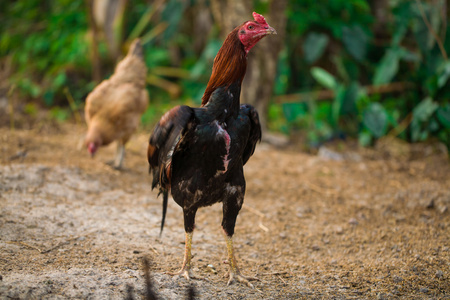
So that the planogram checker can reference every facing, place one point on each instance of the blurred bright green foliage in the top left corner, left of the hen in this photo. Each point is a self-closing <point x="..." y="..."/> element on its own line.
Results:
<point x="46" y="41"/>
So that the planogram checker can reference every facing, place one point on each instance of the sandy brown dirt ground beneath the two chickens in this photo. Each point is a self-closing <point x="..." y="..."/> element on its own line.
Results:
<point x="357" y="224"/>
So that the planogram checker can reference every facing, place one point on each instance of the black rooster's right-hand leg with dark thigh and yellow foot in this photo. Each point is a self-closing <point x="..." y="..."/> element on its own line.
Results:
<point x="230" y="212"/>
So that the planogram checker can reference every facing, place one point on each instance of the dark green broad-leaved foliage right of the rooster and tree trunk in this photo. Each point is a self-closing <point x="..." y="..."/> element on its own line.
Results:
<point x="408" y="55"/>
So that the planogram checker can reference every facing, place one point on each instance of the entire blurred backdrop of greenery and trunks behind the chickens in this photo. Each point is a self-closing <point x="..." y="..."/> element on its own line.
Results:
<point x="344" y="69"/>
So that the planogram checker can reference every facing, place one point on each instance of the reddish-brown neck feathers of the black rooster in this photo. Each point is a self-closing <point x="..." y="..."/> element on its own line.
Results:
<point x="229" y="65"/>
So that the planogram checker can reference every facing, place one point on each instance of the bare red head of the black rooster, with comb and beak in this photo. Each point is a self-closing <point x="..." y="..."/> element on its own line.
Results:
<point x="252" y="32"/>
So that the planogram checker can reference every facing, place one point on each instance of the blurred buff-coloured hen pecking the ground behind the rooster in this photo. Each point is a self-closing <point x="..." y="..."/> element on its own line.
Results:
<point x="114" y="108"/>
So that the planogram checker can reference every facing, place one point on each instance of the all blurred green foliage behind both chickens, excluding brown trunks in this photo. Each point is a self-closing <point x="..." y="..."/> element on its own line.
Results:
<point x="329" y="45"/>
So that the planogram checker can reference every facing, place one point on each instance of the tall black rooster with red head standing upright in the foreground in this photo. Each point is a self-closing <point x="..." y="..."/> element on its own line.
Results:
<point x="198" y="153"/>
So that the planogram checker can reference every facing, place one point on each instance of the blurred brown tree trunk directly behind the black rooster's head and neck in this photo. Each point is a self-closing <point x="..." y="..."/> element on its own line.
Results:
<point x="257" y="87"/>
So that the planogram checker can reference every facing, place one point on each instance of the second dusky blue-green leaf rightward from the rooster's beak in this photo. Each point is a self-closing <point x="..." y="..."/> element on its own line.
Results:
<point x="355" y="41"/>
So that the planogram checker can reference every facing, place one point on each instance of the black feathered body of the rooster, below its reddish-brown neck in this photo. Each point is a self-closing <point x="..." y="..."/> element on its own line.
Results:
<point x="199" y="153"/>
